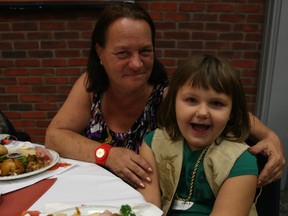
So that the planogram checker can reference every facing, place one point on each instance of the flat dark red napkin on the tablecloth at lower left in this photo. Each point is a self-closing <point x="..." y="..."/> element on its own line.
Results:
<point x="10" y="205"/>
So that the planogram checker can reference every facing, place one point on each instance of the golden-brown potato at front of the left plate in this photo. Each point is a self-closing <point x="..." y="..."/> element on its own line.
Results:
<point x="12" y="166"/>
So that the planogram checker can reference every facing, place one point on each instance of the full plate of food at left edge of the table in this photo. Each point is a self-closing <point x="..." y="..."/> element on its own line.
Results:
<point x="21" y="162"/>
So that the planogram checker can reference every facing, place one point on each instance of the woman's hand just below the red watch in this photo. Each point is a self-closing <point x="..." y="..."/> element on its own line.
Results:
<point x="129" y="166"/>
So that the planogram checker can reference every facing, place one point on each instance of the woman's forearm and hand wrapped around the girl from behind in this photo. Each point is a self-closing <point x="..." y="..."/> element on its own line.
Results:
<point x="270" y="146"/>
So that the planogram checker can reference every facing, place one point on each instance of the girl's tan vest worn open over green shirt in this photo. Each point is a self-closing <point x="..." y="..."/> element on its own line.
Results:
<point x="169" y="157"/>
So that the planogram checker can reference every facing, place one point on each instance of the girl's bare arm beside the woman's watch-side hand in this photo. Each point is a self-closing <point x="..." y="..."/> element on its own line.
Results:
<point x="152" y="191"/>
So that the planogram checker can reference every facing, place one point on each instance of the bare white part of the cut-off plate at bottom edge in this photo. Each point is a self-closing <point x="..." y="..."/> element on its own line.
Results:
<point x="88" y="210"/>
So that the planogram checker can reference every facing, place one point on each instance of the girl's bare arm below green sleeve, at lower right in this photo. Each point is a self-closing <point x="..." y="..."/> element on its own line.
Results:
<point x="235" y="196"/>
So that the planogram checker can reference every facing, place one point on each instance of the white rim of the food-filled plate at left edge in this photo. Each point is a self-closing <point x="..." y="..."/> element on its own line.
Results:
<point x="55" y="157"/>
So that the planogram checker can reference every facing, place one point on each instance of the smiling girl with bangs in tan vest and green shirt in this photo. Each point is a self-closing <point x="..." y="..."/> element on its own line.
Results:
<point x="204" y="167"/>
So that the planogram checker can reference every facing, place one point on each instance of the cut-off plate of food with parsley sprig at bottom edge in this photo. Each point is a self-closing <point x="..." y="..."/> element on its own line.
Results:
<point x="96" y="210"/>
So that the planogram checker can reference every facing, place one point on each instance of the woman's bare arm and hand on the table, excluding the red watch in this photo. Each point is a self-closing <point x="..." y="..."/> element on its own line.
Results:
<point x="64" y="136"/>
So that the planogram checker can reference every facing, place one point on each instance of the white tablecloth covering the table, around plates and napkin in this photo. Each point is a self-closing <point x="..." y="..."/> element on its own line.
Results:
<point x="81" y="184"/>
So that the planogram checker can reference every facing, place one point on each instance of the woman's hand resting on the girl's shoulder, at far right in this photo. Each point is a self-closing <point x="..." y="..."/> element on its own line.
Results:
<point x="270" y="147"/>
